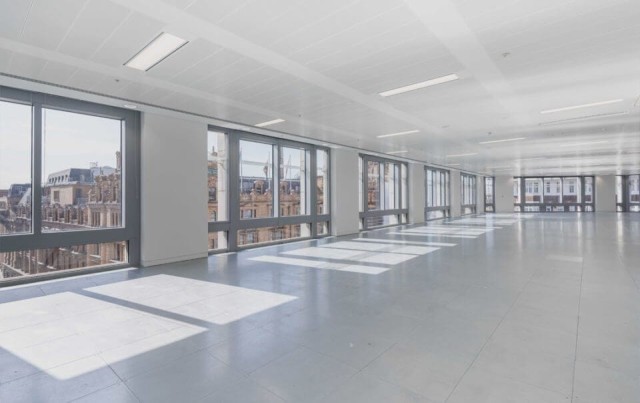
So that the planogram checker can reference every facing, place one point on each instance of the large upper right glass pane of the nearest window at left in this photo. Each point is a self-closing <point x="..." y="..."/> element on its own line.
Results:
<point x="81" y="171"/>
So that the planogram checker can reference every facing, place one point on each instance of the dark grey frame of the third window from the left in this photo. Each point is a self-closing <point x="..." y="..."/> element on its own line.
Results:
<point x="401" y="213"/>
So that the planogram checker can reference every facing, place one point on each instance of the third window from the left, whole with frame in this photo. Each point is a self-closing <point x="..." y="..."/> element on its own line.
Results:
<point x="384" y="184"/>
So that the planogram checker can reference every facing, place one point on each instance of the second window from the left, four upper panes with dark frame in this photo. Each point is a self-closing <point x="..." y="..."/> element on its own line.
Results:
<point x="271" y="198"/>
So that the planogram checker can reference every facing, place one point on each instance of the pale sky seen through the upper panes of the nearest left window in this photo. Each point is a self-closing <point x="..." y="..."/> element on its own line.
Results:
<point x="70" y="140"/>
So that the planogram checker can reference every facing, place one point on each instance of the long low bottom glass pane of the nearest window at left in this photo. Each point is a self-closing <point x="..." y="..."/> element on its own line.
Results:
<point x="41" y="261"/>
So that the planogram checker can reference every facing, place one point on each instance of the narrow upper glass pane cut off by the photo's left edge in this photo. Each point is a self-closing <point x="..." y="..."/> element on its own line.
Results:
<point x="15" y="168"/>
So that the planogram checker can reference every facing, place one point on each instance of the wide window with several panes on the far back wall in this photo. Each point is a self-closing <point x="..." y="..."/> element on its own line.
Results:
<point x="554" y="194"/>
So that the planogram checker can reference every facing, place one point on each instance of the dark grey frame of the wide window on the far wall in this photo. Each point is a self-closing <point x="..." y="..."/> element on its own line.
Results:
<point x="543" y="206"/>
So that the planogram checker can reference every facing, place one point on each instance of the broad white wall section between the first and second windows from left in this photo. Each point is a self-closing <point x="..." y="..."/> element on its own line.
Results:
<point x="174" y="186"/>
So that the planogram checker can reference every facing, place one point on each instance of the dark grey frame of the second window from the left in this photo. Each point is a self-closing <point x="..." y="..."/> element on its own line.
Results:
<point x="235" y="223"/>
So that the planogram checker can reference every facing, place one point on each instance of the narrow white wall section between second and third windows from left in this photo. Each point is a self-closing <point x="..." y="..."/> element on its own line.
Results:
<point x="345" y="216"/>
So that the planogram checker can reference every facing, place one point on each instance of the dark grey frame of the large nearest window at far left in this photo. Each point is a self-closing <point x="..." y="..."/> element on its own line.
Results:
<point x="130" y="231"/>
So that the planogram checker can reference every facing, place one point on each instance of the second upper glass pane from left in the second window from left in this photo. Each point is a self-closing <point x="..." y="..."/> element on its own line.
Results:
<point x="256" y="180"/>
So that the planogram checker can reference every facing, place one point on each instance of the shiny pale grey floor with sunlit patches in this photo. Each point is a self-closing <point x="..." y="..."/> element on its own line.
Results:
<point x="532" y="308"/>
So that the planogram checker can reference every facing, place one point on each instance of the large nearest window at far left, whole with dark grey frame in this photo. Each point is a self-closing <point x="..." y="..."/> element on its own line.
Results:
<point x="79" y="163"/>
